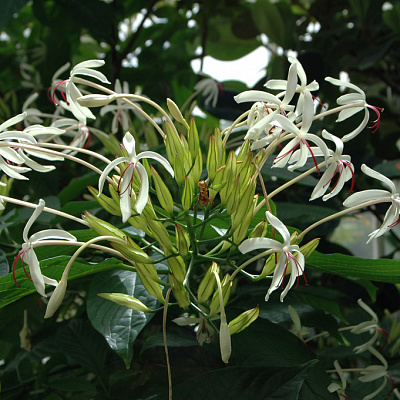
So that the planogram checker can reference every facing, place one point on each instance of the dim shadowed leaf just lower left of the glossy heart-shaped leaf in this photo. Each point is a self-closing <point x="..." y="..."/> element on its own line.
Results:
<point x="81" y="343"/>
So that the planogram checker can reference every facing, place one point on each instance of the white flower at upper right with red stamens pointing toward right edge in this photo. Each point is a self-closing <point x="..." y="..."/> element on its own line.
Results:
<point x="359" y="101"/>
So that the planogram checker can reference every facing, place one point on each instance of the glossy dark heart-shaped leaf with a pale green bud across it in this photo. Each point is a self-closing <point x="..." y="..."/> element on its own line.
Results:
<point x="119" y="325"/>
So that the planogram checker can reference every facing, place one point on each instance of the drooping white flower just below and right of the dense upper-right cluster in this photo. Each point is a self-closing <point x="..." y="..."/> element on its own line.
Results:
<point x="337" y="164"/>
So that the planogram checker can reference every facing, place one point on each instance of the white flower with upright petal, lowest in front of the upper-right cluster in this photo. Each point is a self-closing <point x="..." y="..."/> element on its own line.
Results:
<point x="301" y="138"/>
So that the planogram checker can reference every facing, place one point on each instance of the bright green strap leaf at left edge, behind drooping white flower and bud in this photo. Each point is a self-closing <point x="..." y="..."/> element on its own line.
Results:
<point x="53" y="268"/>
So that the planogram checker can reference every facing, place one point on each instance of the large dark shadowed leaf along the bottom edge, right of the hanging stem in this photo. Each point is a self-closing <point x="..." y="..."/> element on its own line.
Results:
<point x="237" y="383"/>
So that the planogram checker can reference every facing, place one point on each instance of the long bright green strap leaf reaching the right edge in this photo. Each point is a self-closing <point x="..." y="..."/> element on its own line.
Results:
<point x="381" y="270"/>
